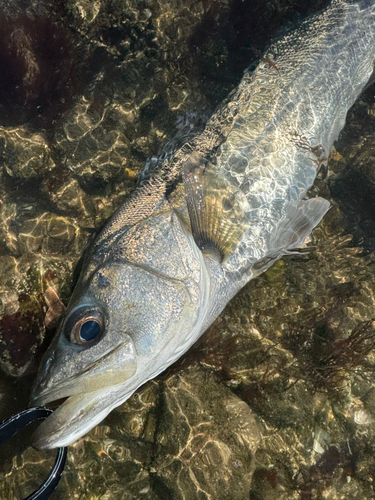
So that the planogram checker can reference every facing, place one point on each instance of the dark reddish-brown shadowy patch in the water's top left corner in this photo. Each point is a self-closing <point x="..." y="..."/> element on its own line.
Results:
<point x="43" y="67"/>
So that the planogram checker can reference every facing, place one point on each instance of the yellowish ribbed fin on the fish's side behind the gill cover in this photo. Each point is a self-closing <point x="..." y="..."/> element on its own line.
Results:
<point x="216" y="209"/>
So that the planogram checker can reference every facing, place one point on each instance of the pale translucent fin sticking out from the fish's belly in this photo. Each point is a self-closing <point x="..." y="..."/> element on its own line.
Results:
<point x="301" y="218"/>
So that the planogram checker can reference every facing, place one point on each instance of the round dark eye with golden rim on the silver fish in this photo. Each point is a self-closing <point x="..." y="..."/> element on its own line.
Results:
<point x="85" y="325"/>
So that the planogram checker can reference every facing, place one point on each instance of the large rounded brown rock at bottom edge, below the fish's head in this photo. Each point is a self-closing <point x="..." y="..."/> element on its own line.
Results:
<point x="205" y="449"/>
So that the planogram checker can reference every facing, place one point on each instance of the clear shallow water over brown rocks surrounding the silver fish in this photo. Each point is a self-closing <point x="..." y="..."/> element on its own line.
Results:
<point x="277" y="400"/>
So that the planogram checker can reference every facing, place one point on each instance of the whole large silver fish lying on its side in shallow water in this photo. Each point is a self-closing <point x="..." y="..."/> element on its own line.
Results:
<point x="204" y="220"/>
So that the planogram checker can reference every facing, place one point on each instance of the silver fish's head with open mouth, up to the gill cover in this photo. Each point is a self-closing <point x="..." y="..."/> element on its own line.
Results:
<point x="137" y="307"/>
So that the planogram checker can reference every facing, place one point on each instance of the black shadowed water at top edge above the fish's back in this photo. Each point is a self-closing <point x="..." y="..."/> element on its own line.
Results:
<point x="243" y="31"/>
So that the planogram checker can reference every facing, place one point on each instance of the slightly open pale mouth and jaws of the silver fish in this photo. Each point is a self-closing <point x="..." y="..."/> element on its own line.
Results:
<point x="91" y="391"/>
